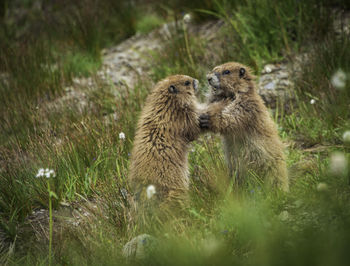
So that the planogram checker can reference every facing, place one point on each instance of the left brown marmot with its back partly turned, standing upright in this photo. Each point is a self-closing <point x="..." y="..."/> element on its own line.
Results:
<point x="169" y="122"/>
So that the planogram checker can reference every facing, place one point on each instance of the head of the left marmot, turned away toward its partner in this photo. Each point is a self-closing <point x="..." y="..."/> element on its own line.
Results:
<point x="178" y="89"/>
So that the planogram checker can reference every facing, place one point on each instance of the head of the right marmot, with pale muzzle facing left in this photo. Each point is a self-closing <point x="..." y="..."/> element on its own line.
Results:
<point x="230" y="79"/>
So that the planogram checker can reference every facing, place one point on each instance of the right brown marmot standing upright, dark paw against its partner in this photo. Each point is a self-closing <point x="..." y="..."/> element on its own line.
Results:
<point x="250" y="138"/>
